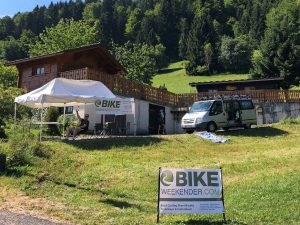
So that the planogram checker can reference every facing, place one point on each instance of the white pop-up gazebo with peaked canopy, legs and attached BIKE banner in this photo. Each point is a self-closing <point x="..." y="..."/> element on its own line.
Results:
<point x="61" y="92"/>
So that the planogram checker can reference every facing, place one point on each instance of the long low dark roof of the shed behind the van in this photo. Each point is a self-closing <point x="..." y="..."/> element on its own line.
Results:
<point x="274" y="79"/>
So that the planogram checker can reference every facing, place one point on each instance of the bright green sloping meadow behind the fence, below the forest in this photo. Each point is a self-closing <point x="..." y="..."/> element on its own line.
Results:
<point x="176" y="80"/>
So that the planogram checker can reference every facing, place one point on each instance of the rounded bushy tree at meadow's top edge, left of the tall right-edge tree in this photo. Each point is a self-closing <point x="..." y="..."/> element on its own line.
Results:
<point x="235" y="54"/>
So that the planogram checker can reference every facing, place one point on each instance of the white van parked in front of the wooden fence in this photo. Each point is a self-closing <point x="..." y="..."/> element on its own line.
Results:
<point x="221" y="112"/>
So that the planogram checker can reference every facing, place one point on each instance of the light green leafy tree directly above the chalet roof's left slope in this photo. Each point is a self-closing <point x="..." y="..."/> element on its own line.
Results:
<point x="66" y="34"/>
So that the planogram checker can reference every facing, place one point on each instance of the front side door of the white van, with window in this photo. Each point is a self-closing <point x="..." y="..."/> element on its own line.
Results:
<point x="217" y="114"/>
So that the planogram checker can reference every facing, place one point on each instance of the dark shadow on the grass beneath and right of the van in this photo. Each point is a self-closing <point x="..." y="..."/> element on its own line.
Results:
<point x="255" y="132"/>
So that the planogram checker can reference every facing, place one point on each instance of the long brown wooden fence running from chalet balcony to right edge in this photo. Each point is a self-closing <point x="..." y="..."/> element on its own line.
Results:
<point x="121" y="86"/>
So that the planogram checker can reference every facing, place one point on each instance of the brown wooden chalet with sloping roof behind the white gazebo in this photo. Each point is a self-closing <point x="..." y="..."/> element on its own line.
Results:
<point x="37" y="71"/>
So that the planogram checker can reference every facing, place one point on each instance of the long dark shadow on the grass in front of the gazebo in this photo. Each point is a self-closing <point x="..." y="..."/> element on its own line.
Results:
<point x="115" y="142"/>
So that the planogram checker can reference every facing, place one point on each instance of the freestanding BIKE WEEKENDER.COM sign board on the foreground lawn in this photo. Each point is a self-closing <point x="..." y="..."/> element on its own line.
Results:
<point x="190" y="191"/>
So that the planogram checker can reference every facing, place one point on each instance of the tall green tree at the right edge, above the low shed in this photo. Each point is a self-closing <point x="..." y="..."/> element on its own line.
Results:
<point x="279" y="54"/>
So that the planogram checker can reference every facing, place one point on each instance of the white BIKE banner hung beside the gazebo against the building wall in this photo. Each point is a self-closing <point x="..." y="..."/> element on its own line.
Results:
<point x="114" y="106"/>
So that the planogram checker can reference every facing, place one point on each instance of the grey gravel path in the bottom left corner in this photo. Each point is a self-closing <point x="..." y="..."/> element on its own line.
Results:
<point x="10" y="218"/>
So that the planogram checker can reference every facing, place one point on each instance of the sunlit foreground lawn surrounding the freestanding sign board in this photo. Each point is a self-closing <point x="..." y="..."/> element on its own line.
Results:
<point x="114" y="181"/>
